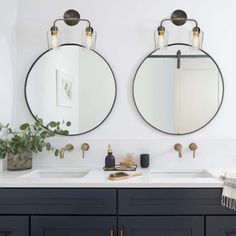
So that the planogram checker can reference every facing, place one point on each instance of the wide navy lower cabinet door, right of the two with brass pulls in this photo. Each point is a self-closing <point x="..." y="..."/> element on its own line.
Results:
<point x="161" y="225"/>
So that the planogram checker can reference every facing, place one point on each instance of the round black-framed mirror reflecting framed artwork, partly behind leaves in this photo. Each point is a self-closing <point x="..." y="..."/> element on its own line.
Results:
<point x="71" y="84"/>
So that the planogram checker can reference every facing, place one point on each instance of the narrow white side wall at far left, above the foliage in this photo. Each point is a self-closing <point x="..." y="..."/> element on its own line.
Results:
<point x="7" y="58"/>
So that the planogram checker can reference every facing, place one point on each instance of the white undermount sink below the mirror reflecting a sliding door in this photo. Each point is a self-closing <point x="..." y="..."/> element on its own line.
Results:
<point x="181" y="174"/>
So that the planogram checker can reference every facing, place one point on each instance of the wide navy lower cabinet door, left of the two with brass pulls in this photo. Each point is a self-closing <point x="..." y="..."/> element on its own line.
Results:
<point x="73" y="225"/>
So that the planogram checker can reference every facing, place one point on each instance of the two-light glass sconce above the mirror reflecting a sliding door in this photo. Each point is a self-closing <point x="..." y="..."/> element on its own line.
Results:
<point x="179" y="18"/>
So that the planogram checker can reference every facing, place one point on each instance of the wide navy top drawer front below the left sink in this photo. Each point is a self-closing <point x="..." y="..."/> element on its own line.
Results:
<point x="58" y="201"/>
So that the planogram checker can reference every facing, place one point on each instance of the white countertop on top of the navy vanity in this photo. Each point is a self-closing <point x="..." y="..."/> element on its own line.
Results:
<point x="97" y="178"/>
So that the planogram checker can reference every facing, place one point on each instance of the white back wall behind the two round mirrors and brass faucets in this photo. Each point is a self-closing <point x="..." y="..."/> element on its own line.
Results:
<point x="125" y="37"/>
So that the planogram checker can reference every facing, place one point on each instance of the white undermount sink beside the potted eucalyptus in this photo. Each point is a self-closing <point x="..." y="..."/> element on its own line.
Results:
<point x="56" y="173"/>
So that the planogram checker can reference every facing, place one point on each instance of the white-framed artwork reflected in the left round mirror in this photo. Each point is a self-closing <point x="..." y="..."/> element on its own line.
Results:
<point x="64" y="89"/>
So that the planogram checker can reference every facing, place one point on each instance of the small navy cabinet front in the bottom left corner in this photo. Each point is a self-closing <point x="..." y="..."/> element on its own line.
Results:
<point x="14" y="225"/>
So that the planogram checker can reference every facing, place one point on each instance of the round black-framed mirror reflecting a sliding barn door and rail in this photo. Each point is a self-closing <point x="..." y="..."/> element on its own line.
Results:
<point x="178" y="89"/>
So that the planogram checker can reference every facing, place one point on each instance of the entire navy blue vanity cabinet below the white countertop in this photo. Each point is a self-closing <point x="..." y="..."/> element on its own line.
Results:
<point x="114" y="212"/>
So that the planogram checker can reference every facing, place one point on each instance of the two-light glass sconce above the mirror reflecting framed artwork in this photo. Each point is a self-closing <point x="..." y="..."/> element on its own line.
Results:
<point x="72" y="17"/>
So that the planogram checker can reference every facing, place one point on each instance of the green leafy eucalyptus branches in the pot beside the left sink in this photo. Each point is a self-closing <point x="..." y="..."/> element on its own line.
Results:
<point x="31" y="137"/>
